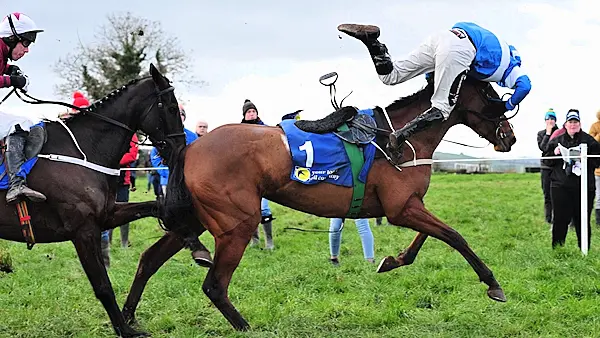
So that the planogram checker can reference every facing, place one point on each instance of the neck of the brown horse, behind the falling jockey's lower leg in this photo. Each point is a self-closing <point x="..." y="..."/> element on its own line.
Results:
<point x="424" y="142"/>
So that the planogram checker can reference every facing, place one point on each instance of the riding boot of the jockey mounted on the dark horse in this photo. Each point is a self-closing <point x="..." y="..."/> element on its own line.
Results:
<point x="15" y="157"/>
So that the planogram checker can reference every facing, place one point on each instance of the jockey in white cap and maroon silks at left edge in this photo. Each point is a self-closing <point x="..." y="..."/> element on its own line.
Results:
<point x="17" y="33"/>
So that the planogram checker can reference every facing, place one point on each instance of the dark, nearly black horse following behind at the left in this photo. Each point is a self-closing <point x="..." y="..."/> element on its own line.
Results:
<point x="81" y="201"/>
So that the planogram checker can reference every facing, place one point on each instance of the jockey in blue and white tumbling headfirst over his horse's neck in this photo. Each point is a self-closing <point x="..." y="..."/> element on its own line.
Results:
<point x="465" y="49"/>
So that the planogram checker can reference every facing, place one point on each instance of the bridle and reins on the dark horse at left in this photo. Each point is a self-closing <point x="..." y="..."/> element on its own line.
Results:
<point x="90" y="111"/>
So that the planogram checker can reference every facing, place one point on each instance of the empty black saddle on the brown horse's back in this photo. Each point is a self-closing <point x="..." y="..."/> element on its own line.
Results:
<point x="361" y="128"/>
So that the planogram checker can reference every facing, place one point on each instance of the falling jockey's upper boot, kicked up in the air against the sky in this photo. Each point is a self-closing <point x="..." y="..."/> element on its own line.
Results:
<point x="368" y="34"/>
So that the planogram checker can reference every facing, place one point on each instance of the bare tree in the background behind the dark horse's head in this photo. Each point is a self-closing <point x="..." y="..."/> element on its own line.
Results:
<point x="122" y="51"/>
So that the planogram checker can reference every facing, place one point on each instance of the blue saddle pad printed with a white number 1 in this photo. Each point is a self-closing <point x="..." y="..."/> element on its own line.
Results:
<point x="321" y="157"/>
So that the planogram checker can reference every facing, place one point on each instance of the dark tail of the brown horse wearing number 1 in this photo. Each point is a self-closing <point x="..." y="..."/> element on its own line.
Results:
<point x="178" y="201"/>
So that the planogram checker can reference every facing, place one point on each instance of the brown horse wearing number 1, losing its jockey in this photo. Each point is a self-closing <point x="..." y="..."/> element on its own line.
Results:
<point x="228" y="171"/>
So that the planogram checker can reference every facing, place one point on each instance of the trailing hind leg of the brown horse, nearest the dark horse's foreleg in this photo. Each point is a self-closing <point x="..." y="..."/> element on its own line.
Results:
<point x="150" y="261"/>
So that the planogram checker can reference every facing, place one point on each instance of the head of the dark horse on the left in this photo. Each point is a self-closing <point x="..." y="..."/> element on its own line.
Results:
<point x="161" y="120"/>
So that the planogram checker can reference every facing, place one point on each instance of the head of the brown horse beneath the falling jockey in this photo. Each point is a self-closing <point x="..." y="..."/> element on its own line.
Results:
<point x="481" y="109"/>
